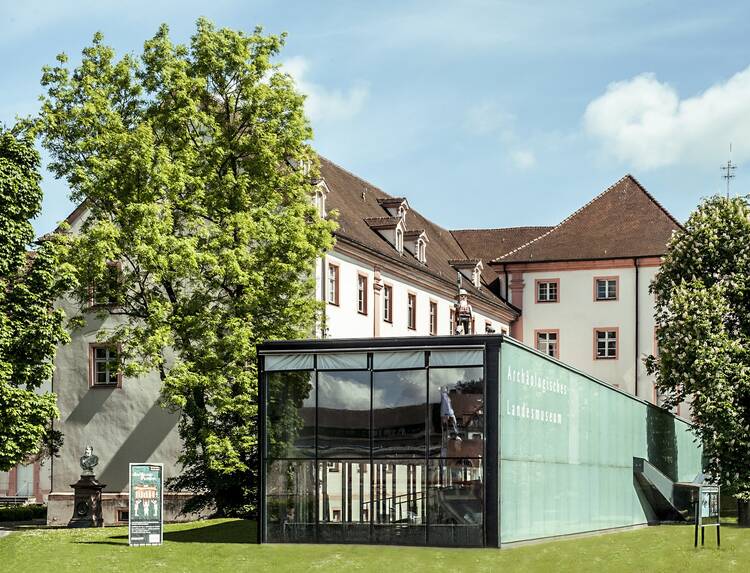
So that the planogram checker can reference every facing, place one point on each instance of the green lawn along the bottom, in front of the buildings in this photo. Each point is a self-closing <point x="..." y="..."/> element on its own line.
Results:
<point x="222" y="545"/>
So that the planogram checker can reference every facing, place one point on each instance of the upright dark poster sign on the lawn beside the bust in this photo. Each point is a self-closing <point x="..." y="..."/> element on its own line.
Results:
<point x="146" y="522"/>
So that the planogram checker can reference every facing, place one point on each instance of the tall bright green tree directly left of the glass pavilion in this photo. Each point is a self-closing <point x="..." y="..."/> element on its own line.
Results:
<point x="195" y="164"/>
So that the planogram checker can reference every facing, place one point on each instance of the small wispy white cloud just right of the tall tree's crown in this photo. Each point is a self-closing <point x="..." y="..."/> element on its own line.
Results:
<point x="323" y="104"/>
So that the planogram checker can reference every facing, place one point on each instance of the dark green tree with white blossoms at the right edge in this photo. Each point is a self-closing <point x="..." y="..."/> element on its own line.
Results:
<point x="703" y="332"/>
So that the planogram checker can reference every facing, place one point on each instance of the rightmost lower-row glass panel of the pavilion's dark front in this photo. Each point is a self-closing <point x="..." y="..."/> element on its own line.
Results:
<point x="455" y="502"/>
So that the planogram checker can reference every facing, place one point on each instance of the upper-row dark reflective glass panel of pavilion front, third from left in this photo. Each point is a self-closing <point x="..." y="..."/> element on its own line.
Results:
<point x="399" y="413"/>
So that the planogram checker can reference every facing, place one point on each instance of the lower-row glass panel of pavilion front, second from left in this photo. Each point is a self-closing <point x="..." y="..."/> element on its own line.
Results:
<point x="344" y="501"/>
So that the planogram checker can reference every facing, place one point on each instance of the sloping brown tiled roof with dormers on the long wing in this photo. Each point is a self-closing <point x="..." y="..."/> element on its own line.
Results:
<point x="361" y="204"/>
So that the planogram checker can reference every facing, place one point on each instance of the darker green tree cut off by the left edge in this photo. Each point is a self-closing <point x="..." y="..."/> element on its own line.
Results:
<point x="31" y="278"/>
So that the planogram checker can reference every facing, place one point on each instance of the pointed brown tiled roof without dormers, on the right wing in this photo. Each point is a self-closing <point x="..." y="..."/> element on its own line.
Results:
<point x="624" y="221"/>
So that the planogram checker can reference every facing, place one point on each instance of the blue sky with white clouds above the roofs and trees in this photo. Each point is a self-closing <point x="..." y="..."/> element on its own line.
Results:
<point x="482" y="114"/>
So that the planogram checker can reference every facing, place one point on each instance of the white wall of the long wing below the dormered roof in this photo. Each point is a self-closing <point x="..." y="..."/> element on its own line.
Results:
<point x="344" y="321"/>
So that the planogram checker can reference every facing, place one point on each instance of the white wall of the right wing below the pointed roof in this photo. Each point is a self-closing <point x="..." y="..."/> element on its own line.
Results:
<point x="577" y="314"/>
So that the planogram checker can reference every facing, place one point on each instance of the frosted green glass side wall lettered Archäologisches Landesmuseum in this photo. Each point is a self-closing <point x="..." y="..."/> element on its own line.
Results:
<point x="567" y="445"/>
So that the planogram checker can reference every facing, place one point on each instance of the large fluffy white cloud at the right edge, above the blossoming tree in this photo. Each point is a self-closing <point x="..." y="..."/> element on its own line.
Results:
<point x="644" y="122"/>
